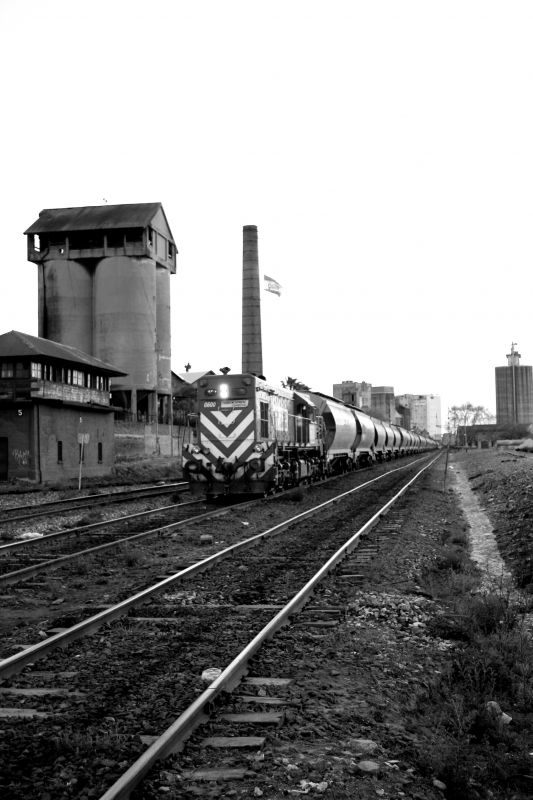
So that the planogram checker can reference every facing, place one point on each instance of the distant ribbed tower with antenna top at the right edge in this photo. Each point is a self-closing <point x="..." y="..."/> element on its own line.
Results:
<point x="514" y="391"/>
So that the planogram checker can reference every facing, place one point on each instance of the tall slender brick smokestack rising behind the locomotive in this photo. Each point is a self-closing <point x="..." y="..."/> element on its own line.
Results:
<point x="252" y="350"/>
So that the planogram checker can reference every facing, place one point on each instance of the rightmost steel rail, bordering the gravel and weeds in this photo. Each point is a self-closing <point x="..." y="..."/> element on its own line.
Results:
<point x="173" y="739"/>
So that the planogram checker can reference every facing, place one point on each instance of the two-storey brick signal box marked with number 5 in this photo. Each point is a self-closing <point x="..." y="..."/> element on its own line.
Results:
<point x="55" y="414"/>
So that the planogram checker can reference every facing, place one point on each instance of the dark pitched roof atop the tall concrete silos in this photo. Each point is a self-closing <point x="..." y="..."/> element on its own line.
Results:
<point x="90" y="218"/>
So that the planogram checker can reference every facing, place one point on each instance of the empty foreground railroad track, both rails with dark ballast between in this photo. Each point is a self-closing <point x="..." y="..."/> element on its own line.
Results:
<point x="162" y="642"/>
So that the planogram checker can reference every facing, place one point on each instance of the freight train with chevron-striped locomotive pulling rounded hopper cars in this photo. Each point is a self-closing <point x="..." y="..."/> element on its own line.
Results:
<point x="254" y="438"/>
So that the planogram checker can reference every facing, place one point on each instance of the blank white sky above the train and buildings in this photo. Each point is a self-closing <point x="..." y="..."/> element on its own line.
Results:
<point x="383" y="149"/>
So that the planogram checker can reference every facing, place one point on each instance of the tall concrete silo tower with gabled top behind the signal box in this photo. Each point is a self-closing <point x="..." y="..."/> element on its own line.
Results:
<point x="104" y="287"/>
